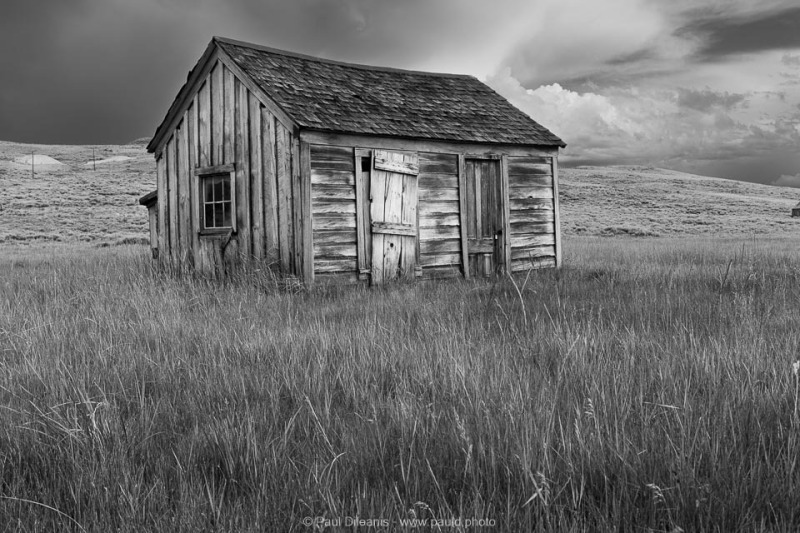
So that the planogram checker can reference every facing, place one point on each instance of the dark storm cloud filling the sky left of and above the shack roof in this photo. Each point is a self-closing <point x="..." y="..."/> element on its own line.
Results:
<point x="105" y="71"/>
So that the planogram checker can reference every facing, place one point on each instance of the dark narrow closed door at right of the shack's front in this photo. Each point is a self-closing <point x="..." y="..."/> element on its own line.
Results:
<point x="485" y="239"/>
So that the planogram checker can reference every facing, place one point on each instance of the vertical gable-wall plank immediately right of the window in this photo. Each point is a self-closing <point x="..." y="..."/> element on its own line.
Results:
<point x="242" y="171"/>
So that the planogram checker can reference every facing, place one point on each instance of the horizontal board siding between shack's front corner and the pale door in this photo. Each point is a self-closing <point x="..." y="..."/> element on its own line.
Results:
<point x="333" y="210"/>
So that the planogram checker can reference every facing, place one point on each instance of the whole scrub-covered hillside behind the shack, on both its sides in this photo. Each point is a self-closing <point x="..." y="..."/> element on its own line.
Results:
<point x="72" y="201"/>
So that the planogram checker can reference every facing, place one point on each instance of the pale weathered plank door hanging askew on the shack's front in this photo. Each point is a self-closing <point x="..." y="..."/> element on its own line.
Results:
<point x="393" y="215"/>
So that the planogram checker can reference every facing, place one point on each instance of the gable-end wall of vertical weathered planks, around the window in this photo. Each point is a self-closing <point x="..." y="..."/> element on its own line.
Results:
<point x="224" y="123"/>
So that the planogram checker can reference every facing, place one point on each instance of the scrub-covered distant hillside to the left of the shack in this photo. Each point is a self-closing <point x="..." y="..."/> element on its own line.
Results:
<point x="76" y="200"/>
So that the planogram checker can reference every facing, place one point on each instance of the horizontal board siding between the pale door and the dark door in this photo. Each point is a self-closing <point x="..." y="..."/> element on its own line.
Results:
<point x="439" y="215"/>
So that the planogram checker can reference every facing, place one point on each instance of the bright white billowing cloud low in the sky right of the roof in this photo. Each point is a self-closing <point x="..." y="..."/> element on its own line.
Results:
<point x="647" y="125"/>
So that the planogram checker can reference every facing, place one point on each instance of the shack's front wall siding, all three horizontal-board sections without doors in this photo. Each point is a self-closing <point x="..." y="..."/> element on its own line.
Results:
<point x="341" y="241"/>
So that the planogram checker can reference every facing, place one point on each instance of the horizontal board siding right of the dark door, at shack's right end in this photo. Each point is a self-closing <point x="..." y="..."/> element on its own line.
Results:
<point x="531" y="213"/>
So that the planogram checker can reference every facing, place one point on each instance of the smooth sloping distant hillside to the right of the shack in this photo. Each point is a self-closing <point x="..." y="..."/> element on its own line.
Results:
<point x="646" y="201"/>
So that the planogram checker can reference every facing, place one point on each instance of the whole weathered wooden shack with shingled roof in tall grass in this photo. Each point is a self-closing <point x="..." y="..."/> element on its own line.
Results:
<point x="322" y="169"/>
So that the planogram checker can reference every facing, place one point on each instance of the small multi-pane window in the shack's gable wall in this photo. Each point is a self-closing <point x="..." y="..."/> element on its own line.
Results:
<point x="217" y="199"/>
